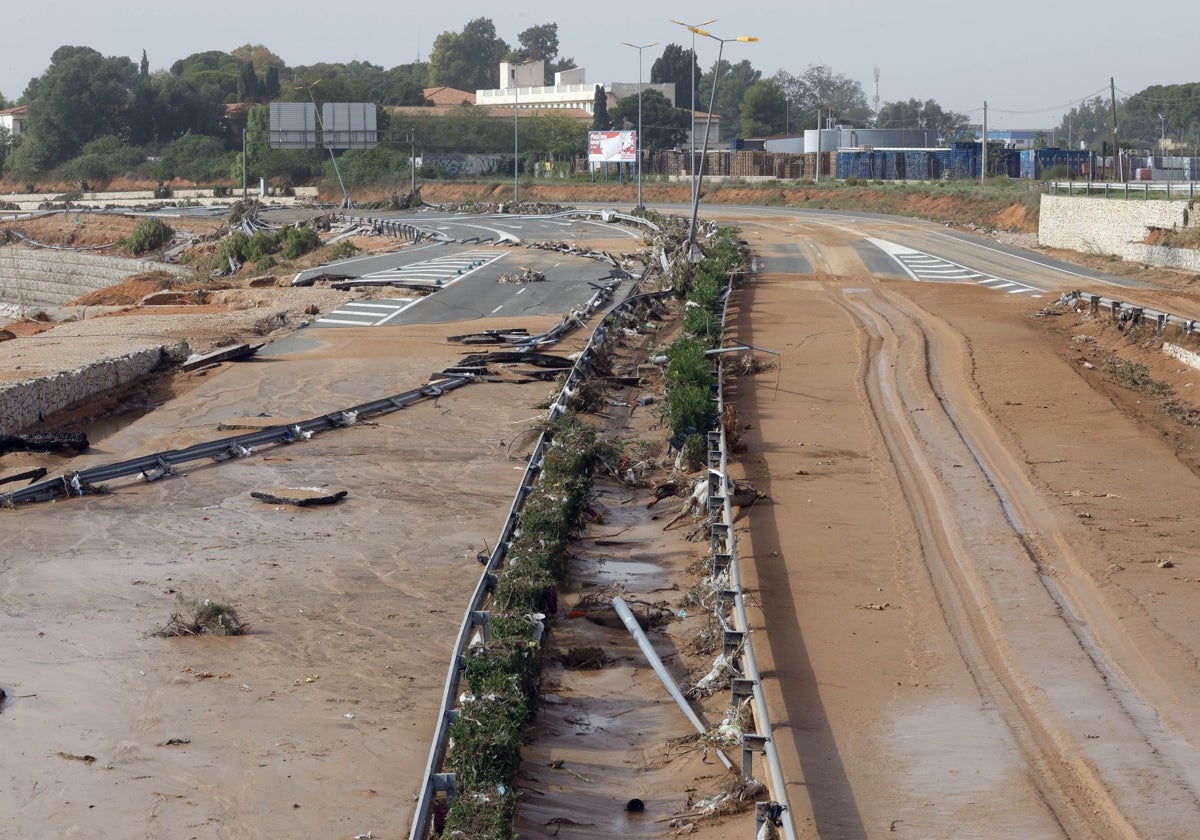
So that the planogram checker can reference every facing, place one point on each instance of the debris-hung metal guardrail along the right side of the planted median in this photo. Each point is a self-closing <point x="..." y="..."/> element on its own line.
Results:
<point x="737" y="638"/>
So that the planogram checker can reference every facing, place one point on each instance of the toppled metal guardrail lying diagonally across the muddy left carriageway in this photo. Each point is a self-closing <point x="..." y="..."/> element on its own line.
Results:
<point x="73" y="484"/>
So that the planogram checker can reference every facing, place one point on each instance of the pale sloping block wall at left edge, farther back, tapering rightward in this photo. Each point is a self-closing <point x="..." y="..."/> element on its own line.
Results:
<point x="39" y="278"/>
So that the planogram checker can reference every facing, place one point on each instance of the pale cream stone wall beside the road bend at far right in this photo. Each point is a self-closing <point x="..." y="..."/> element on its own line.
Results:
<point x="1108" y="226"/>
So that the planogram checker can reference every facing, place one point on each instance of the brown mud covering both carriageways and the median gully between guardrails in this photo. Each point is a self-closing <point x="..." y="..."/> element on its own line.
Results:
<point x="898" y="712"/>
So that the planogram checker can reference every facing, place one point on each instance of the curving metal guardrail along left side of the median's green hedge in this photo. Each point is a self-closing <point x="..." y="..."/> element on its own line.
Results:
<point x="477" y="616"/>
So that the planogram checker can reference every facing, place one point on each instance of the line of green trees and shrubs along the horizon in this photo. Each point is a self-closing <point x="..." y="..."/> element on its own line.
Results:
<point x="94" y="117"/>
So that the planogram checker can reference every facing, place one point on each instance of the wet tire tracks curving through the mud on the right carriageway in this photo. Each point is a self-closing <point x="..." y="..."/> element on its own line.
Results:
<point x="1095" y="755"/>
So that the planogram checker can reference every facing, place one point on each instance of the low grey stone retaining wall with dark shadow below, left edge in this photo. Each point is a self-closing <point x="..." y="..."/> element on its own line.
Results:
<point x="23" y="404"/>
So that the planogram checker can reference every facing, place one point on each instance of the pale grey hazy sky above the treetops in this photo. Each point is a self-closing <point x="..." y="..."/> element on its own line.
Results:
<point x="1030" y="61"/>
